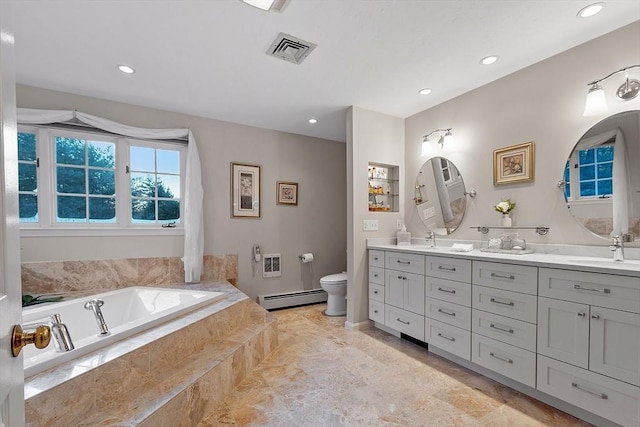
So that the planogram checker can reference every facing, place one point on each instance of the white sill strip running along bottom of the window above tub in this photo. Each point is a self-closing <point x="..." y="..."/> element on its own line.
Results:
<point x="100" y="231"/>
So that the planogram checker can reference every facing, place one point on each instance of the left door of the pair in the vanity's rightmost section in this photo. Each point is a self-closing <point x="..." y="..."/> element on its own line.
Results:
<point x="563" y="331"/>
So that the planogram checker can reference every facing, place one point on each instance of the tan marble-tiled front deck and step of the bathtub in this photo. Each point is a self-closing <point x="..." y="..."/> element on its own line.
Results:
<point x="171" y="375"/>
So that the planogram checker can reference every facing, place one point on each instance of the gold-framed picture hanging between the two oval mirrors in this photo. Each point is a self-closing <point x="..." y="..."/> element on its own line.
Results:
<point x="513" y="164"/>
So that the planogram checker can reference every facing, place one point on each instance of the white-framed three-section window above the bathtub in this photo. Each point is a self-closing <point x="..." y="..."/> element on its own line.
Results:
<point x="96" y="180"/>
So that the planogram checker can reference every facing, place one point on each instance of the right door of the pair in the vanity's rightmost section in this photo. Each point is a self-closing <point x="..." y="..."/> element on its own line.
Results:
<point x="615" y="344"/>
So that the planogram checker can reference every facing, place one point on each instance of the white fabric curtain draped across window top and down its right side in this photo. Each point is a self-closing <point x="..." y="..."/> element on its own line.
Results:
<point x="193" y="198"/>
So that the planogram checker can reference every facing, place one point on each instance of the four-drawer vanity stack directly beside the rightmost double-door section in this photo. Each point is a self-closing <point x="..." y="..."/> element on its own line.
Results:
<point x="504" y="302"/>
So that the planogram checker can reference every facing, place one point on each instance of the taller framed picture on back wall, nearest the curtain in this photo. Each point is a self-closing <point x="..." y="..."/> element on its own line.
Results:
<point x="245" y="191"/>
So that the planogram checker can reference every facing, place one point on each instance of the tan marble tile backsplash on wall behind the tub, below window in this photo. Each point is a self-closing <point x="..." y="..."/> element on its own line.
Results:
<point x="44" y="278"/>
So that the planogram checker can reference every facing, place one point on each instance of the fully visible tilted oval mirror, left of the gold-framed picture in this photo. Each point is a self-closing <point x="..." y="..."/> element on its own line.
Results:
<point x="440" y="196"/>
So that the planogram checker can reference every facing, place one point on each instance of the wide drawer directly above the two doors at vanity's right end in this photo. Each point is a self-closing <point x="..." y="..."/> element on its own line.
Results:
<point x="603" y="290"/>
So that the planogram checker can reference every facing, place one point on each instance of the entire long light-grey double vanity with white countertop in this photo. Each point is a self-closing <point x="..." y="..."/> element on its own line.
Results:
<point x="563" y="329"/>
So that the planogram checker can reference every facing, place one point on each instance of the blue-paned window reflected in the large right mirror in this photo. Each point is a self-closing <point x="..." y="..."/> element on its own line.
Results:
<point x="591" y="175"/>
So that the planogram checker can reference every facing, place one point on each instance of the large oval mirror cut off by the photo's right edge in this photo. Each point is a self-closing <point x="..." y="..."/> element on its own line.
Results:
<point x="602" y="177"/>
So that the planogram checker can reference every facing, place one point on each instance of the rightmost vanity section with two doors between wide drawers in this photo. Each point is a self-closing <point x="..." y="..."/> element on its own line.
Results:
<point x="589" y="342"/>
